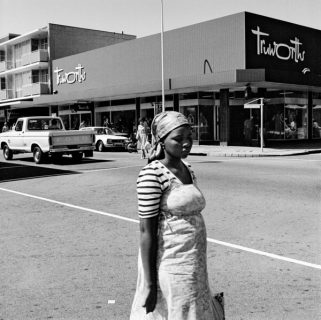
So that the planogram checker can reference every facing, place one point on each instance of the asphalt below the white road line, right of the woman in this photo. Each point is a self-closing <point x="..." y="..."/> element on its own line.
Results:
<point x="258" y="287"/>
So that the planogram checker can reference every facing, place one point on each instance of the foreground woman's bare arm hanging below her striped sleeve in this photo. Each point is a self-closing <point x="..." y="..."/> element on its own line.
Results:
<point x="148" y="245"/>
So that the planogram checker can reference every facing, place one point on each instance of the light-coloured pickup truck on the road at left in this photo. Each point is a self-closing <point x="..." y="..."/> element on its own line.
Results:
<point x="46" y="136"/>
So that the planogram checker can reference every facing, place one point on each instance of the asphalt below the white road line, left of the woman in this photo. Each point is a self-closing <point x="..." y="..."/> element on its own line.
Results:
<point x="58" y="262"/>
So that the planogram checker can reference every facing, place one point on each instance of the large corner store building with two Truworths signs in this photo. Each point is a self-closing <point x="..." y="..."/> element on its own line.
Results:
<point x="211" y="70"/>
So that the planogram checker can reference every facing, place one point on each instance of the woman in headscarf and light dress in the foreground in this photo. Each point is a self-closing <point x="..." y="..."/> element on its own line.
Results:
<point x="172" y="265"/>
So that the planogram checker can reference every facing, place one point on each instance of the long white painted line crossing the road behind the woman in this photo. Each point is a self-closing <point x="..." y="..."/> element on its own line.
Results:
<point x="226" y="244"/>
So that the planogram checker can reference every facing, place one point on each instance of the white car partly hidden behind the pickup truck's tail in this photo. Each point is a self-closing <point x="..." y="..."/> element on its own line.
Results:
<point x="104" y="138"/>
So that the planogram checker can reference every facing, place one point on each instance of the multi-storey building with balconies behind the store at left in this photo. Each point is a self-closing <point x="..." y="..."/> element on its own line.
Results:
<point x="26" y="60"/>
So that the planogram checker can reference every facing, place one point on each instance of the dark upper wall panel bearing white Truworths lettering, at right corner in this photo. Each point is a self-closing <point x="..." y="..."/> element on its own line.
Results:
<point x="278" y="45"/>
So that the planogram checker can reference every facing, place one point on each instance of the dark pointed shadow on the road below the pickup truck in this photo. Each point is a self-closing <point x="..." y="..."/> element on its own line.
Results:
<point x="14" y="171"/>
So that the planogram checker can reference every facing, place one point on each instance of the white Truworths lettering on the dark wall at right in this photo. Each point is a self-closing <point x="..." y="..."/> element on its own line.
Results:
<point x="283" y="51"/>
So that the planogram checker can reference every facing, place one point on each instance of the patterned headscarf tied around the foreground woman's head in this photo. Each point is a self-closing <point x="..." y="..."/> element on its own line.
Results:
<point x="162" y="125"/>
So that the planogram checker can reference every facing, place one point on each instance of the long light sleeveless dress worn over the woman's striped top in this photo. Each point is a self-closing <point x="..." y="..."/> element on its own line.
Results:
<point x="183" y="289"/>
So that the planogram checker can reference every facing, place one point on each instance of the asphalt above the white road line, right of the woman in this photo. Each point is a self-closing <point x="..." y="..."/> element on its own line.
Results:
<point x="260" y="205"/>
